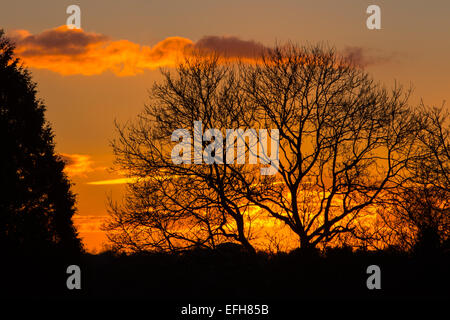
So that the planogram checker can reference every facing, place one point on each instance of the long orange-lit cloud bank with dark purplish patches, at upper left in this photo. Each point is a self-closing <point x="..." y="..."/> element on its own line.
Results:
<point x="74" y="51"/>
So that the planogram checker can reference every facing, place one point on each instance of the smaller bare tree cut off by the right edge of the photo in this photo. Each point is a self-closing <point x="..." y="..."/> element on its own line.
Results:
<point x="417" y="213"/>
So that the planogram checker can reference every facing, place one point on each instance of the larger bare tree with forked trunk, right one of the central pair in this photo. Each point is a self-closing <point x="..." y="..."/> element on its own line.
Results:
<point x="344" y="139"/>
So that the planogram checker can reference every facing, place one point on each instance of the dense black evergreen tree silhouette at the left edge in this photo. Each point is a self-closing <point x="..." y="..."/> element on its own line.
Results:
<point x="36" y="204"/>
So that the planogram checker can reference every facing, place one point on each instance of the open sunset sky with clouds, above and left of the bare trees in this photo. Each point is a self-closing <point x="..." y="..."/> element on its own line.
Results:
<point x="88" y="78"/>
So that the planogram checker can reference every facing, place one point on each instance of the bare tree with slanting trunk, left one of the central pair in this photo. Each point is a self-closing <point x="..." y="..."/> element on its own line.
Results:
<point x="176" y="206"/>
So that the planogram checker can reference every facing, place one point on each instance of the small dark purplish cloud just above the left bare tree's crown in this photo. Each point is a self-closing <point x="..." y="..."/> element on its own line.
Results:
<point x="231" y="46"/>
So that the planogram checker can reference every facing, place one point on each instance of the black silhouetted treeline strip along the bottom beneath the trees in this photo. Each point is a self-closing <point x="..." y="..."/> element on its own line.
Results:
<point x="230" y="274"/>
